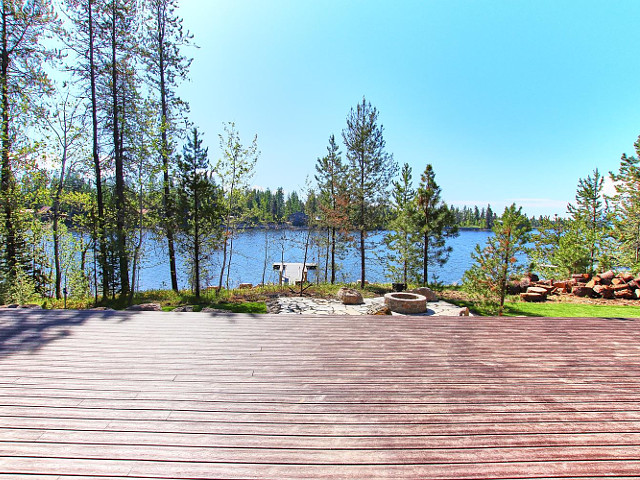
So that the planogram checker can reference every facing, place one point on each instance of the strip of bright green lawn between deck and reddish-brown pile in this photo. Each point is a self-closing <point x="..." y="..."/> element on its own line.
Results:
<point x="556" y="309"/>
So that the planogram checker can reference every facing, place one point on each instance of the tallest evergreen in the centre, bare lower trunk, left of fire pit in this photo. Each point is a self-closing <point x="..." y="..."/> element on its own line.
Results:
<point x="370" y="171"/>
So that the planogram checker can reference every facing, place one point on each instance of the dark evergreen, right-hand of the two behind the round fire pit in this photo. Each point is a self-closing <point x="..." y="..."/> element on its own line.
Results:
<point x="435" y="223"/>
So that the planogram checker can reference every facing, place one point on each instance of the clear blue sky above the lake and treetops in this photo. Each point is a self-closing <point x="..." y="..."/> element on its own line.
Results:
<point x="510" y="101"/>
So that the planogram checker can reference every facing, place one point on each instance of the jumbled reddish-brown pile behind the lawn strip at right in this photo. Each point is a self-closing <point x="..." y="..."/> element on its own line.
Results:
<point x="605" y="285"/>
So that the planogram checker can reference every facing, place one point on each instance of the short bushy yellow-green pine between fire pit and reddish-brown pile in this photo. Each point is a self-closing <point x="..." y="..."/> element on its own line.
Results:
<point x="496" y="263"/>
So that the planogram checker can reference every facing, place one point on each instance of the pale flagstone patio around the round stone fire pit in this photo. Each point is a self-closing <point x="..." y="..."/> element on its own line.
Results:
<point x="317" y="306"/>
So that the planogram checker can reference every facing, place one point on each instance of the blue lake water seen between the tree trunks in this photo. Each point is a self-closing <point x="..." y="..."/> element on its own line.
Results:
<point x="249" y="259"/>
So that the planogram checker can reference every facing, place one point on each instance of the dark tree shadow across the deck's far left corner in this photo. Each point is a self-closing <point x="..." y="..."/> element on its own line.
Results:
<point x="26" y="330"/>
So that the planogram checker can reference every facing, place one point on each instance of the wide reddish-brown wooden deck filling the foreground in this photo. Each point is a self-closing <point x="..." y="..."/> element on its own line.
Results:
<point x="158" y="395"/>
